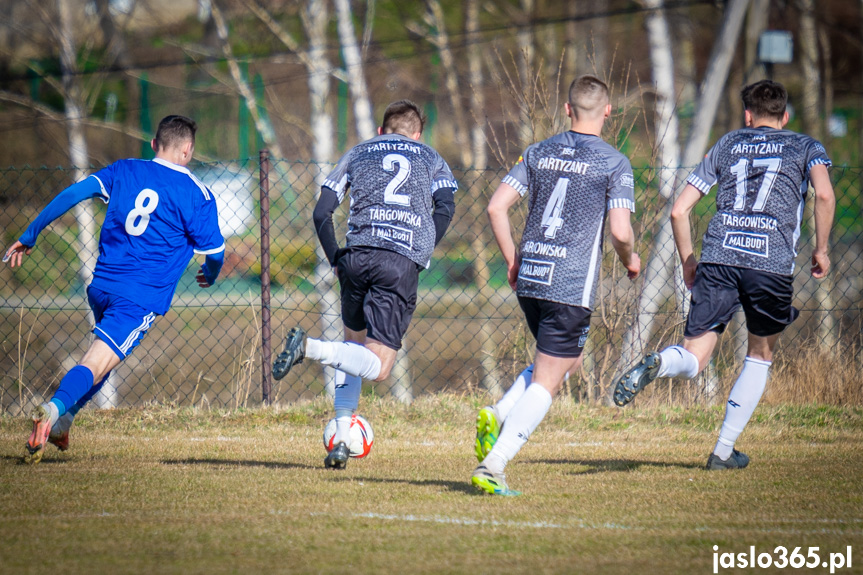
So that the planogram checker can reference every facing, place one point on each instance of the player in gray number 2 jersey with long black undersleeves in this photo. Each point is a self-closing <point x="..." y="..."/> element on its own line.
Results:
<point x="401" y="204"/>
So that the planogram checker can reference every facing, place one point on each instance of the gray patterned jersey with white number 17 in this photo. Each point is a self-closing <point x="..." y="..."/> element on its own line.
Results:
<point x="762" y="176"/>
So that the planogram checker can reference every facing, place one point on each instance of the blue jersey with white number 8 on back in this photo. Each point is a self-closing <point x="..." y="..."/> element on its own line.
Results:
<point x="159" y="214"/>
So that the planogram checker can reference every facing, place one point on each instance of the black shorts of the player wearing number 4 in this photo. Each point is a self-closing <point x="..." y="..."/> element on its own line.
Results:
<point x="560" y="330"/>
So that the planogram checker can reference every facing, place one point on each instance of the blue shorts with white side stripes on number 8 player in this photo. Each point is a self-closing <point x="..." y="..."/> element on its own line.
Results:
<point x="119" y="323"/>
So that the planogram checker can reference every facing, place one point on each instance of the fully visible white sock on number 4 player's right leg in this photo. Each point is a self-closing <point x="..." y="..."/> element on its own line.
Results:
<point x="525" y="416"/>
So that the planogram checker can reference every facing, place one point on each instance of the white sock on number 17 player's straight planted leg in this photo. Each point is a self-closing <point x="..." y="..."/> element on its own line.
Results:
<point x="742" y="401"/>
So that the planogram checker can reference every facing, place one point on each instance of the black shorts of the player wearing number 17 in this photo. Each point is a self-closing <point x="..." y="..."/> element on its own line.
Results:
<point x="719" y="290"/>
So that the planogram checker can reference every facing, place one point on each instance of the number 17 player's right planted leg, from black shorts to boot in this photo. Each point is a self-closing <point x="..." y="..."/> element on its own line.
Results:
<point x="766" y="300"/>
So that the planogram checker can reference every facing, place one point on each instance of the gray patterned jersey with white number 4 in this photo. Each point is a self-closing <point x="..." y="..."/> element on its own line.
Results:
<point x="572" y="180"/>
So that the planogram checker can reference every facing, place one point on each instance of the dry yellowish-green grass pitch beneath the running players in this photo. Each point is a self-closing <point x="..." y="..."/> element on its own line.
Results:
<point x="177" y="490"/>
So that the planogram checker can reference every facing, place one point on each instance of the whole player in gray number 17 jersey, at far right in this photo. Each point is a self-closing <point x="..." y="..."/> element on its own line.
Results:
<point x="763" y="173"/>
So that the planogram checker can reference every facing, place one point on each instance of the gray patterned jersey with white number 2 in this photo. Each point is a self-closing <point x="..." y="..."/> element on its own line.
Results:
<point x="392" y="180"/>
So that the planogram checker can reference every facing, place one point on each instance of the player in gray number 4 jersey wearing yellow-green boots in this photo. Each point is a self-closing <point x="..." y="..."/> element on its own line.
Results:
<point x="572" y="180"/>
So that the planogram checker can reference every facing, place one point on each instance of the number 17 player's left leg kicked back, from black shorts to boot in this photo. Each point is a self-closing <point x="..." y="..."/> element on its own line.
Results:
<point x="714" y="301"/>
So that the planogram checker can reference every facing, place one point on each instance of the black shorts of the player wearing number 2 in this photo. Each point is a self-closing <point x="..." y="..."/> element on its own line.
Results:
<point x="379" y="293"/>
